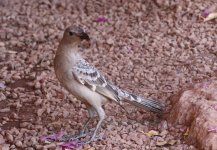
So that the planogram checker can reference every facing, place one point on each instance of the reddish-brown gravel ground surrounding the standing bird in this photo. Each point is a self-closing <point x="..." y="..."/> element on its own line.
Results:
<point x="153" y="48"/>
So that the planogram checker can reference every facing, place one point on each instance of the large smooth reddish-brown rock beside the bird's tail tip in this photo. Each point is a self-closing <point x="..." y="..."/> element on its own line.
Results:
<point x="197" y="108"/>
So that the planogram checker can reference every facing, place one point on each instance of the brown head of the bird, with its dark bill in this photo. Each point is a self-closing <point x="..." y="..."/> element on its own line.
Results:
<point x="75" y="34"/>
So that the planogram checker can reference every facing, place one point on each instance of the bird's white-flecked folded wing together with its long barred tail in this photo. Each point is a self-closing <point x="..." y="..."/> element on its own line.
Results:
<point x="92" y="78"/>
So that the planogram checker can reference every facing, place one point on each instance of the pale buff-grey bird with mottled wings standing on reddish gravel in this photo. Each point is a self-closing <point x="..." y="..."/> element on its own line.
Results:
<point x="87" y="83"/>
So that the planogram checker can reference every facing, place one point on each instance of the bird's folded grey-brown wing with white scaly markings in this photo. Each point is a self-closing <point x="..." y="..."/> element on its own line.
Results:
<point x="89" y="76"/>
